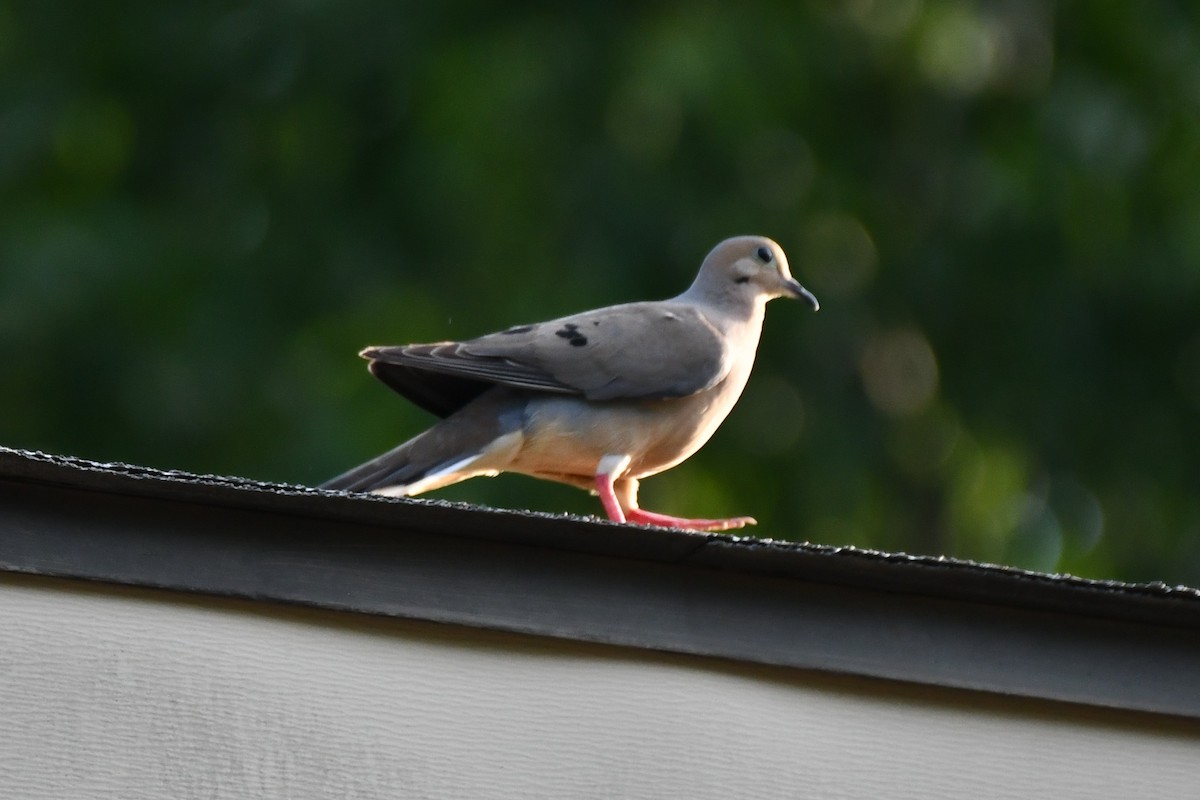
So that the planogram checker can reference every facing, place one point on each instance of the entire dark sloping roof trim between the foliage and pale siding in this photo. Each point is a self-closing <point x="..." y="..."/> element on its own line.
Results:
<point x="838" y="610"/>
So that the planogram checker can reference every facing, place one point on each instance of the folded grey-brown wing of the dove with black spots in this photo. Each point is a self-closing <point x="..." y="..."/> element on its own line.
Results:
<point x="637" y="351"/>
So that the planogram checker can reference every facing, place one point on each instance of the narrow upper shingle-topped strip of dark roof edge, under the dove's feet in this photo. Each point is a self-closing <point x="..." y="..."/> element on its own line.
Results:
<point x="902" y="573"/>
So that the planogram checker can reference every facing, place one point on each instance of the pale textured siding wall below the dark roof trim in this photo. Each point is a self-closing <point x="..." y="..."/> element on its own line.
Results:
<point x="129" y="695"/>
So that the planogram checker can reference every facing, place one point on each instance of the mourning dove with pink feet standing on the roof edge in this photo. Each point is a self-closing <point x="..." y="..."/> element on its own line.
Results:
<point x="598" y="400"/>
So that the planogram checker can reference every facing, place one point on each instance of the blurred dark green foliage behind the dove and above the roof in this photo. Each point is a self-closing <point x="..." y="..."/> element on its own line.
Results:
<point x="208" y="208"/>
